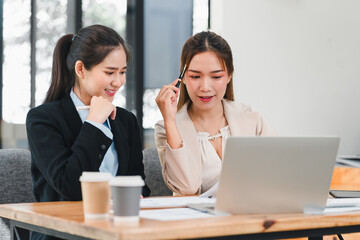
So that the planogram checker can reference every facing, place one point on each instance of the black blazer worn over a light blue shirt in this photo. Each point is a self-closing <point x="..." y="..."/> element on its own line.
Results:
<point x="62" y="147"/>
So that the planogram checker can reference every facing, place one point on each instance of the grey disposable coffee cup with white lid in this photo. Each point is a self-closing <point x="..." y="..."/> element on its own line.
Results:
<point x="126" y="191"/>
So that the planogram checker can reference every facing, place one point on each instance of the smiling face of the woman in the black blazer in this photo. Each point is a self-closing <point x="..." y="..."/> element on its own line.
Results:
<point x="103" y="79"/>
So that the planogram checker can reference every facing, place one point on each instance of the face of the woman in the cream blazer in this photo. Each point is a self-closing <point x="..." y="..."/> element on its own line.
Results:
<point x="206" y="80"/>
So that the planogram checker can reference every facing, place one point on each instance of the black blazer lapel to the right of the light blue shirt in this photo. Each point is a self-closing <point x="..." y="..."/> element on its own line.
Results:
<point x="121" y="145"/>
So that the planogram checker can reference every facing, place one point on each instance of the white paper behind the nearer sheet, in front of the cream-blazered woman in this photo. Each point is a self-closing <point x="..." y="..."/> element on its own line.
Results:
<point x="166" y="202"/>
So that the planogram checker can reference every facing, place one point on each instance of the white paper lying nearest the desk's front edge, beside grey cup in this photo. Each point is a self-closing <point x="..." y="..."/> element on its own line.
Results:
<point x="173" y="214"/>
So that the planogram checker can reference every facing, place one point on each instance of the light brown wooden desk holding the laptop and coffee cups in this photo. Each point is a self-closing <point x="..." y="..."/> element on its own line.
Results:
<point x="65" y="219"/>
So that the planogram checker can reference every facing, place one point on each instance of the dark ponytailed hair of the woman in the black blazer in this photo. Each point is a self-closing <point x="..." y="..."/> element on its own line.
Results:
<point x="90" y="45"/>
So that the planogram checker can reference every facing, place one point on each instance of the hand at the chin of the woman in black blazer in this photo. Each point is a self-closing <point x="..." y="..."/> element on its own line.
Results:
<point x="101" y="109"/>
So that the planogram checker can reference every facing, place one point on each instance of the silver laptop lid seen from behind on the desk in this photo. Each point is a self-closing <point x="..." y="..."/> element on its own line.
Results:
<point x="263" y="175"/>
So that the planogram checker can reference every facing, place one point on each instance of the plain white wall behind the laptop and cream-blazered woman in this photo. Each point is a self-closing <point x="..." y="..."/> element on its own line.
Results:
<point x="297" y="62"/>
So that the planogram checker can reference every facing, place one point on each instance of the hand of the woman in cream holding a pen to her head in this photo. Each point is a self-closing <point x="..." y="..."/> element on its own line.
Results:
<point x="167" y="101"/>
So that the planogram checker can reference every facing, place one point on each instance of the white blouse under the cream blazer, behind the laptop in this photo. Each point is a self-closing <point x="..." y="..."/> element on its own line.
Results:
<point x="211" y="162"/>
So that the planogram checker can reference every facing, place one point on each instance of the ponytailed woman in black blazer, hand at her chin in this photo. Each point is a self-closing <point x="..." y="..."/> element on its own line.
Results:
<point x="88" y="69"/>
